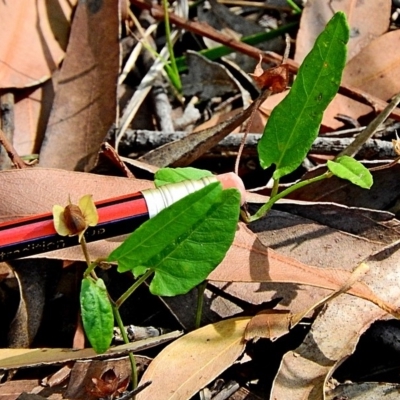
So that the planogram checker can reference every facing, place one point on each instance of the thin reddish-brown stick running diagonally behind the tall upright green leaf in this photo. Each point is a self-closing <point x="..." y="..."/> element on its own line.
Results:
<point x="206" y="30"/>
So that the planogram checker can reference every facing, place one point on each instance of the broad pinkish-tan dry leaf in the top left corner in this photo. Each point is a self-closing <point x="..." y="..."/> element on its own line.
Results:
<point x="34" y="37"/>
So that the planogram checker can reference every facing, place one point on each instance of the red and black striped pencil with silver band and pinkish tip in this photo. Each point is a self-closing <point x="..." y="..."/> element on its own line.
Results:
<point x="117" y="216"/>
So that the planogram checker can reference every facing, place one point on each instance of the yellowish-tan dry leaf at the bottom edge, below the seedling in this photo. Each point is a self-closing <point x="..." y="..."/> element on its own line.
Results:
<point x="194" y="360"/>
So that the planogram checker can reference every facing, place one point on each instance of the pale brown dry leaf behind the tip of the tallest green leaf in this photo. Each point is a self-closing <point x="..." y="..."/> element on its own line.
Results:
<point x="367" y="19"/>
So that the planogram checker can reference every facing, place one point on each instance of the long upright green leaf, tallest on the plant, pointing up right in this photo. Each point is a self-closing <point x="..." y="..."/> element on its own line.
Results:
<point x="294" y="123"/>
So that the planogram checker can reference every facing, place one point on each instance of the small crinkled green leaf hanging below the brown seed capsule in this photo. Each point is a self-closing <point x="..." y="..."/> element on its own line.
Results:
<point x="97" y="314"/>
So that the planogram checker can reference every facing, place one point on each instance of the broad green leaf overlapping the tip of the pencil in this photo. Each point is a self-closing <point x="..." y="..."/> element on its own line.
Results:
<point x="183" y="243"/>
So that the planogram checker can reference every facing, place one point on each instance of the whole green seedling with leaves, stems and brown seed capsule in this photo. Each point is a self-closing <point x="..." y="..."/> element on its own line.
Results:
<point x="180" y="246"/>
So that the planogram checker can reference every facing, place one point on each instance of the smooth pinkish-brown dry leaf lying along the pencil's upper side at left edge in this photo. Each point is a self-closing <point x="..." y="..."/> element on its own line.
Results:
<point x="36" y="190"/>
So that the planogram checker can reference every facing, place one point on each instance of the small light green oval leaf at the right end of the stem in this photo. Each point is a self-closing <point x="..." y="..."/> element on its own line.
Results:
<point x="350" y="169"/>
